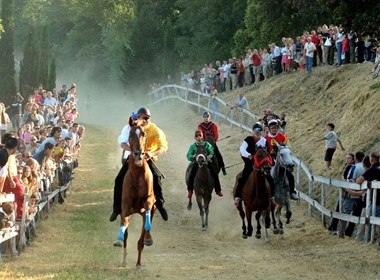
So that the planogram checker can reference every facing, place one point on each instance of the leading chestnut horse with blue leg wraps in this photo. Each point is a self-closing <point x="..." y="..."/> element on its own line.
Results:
<point x="138" y="196"/>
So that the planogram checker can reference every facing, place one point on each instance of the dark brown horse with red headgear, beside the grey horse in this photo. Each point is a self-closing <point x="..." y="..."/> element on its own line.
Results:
<point x="256" y="195"/>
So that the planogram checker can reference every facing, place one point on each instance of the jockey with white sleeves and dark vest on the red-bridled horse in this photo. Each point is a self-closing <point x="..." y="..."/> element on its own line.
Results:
<point x="247" y="152"/>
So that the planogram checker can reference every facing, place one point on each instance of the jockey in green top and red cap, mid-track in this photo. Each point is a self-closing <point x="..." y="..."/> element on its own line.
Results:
<point x="198" y="135"/>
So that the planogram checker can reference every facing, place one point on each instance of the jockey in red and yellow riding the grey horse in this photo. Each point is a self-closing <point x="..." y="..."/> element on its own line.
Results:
<point x="274" y="137"/>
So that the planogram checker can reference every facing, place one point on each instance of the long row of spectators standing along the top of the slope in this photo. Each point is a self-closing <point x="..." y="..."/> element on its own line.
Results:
<point x="325" y="46"/>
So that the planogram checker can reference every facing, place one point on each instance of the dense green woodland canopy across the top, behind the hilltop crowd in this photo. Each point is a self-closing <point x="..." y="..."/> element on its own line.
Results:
<point x="135" y="43"/>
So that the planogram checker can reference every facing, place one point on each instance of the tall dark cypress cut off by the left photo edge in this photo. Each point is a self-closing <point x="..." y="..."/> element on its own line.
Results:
<point x="7" y="61"/>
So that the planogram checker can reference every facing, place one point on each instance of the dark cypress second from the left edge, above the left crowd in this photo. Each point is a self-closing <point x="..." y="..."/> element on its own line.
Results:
<point x="29" y="66"/>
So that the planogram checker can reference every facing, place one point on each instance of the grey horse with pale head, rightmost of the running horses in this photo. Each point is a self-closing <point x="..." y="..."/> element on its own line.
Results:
<point x="283" y="163"/>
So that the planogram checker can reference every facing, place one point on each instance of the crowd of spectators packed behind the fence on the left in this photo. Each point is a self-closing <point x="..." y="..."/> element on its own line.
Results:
<point x="39" y="148"/>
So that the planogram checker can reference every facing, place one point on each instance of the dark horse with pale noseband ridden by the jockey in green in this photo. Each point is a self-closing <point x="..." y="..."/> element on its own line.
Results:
<point x="203" y="185"/>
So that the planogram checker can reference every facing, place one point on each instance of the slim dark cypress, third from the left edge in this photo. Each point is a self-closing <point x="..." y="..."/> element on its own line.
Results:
<point x="43" y="58"/>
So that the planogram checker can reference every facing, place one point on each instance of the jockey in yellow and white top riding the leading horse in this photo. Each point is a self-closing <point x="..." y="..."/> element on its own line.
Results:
<point x="156" y="144"/>
